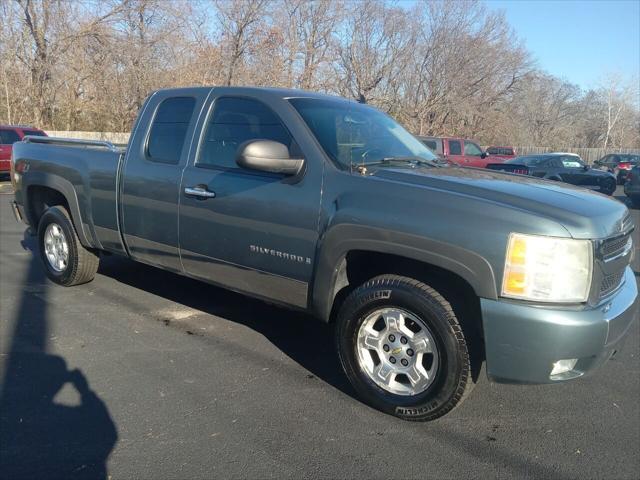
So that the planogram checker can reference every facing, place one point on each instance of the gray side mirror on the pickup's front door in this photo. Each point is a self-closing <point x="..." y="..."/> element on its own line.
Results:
<point x="268" y="156"/>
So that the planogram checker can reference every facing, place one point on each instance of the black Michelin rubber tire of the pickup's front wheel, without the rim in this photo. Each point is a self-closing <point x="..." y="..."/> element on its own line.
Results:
<point x="453" y="380"/>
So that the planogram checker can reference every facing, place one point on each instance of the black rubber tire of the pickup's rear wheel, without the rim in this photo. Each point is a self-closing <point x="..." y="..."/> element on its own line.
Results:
<point x="82" y="263"/>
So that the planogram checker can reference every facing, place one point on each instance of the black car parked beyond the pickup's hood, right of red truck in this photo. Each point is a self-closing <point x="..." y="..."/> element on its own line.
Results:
<point x="563" y="167"/>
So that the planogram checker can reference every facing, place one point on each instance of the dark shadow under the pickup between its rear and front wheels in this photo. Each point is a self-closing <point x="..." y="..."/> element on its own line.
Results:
<point x="307" y="341"/>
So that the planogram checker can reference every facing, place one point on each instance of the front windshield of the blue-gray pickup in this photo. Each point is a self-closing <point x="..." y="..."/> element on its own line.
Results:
<point x="353" y="134"/>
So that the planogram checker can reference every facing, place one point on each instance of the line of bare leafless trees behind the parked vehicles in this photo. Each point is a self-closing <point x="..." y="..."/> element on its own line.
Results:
<point x="442" y="67"/>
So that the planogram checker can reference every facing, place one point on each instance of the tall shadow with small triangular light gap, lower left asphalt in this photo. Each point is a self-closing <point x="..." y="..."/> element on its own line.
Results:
<point x="40" y="438"/>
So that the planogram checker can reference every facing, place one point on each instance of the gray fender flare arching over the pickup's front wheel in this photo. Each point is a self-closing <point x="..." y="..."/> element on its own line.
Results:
<point x="343" y="238"/>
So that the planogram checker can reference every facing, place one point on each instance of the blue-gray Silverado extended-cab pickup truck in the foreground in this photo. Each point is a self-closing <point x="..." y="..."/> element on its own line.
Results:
<point x="329" y="206"/>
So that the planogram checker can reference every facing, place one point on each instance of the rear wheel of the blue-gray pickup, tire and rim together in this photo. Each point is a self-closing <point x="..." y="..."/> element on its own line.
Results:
<point x="65" y="260"/>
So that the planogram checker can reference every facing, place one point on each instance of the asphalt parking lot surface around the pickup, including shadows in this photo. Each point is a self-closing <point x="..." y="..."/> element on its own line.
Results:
<point x="142" y="373"/>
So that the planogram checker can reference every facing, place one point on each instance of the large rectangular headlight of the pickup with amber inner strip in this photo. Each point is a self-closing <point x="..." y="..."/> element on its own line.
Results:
<point x="547" y="269"/>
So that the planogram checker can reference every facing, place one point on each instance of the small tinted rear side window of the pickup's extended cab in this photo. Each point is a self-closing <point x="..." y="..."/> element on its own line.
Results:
<point x="169" y="130"/>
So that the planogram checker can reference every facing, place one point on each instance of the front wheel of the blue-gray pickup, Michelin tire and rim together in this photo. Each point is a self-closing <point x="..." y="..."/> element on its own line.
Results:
<point x="403" y="349"/>
